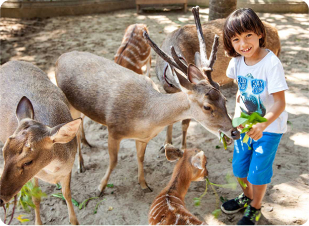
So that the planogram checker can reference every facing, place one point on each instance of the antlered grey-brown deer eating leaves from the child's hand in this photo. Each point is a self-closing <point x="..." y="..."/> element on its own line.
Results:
<point x="132" y="107"/>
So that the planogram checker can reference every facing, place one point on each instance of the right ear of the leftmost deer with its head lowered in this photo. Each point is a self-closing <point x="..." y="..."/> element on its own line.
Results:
<point x="65" y="132"/>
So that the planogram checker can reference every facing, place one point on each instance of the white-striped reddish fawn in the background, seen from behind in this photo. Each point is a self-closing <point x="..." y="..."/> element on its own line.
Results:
<point x="134" y="52"/>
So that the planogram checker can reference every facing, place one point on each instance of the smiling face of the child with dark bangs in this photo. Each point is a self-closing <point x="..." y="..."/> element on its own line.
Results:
<point x="247" y="44"/>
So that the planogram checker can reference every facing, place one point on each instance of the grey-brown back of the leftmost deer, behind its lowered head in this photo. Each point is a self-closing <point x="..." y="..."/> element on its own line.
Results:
<point x="18" y="79"/>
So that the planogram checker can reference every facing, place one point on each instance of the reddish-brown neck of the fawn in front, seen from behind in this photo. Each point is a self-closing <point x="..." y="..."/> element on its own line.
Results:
<point x="180" y="182"/>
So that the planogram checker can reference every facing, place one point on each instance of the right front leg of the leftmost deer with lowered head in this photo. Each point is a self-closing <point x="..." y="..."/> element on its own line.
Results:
<point x="66" y="191"/>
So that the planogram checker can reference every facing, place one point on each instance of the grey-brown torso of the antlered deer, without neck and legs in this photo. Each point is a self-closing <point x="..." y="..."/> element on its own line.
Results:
<point x="103" y="90"/>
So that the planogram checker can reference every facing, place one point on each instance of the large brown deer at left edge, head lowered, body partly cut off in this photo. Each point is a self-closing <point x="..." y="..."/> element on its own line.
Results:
<point x="37" y="131"/>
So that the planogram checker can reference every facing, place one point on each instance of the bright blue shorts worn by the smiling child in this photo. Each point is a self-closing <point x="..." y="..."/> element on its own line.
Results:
<point x="256" y="164"/>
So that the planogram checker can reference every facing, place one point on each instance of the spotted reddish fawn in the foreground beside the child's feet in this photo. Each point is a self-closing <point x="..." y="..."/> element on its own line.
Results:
<point x="169" y="207"/>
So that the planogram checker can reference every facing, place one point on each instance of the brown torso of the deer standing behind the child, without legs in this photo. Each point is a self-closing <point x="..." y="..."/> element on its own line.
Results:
<point x="186" y="43"/>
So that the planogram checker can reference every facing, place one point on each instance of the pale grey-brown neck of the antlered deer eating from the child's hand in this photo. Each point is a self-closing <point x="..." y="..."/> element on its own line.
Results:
<point x="170" y="108"/>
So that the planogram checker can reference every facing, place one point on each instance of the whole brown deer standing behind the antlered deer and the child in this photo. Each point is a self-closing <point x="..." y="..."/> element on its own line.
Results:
<point x="186" y="43"/>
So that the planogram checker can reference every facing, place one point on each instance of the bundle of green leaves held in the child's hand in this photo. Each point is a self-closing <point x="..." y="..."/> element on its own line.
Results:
<point x="247" y="121"/>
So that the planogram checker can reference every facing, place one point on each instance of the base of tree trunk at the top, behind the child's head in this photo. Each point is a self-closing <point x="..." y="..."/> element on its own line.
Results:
<point x="221" y="8"/>
